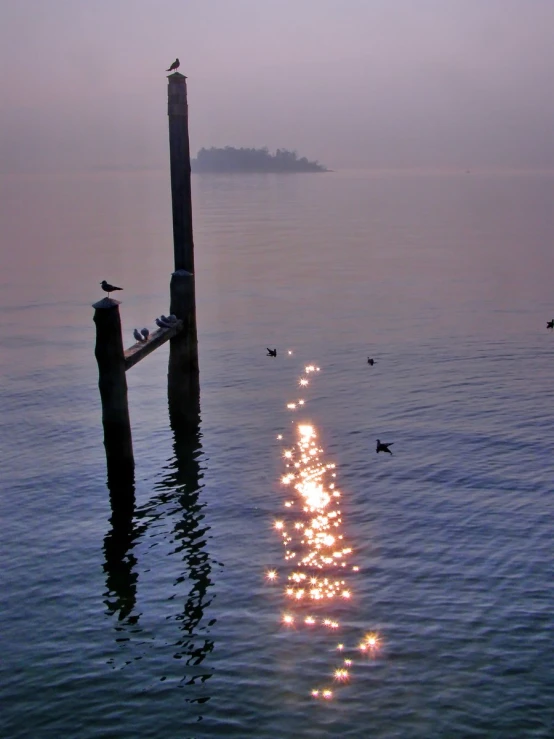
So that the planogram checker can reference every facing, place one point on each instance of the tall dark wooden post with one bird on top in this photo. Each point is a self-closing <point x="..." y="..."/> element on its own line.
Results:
<point x="183" y="352"/>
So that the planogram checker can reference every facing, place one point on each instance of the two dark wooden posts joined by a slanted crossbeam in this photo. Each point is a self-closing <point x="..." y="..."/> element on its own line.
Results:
<point x="113" y="360"/>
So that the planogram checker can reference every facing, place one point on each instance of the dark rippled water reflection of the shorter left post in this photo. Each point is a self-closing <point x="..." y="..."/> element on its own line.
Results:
<point x="121" y="579"/>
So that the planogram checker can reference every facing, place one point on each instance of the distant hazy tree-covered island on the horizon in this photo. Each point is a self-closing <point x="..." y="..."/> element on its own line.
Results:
<point x="230" y="159"/>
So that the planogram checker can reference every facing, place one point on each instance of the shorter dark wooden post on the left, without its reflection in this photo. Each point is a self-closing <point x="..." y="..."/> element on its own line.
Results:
<point x="113" y="391"/>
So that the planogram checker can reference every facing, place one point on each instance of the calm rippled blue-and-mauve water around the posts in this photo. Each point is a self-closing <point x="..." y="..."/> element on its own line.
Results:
<point x="167" y="622"/>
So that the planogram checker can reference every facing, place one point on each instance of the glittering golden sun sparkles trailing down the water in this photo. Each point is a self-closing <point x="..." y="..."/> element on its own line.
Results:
<point x="316" y="577"/>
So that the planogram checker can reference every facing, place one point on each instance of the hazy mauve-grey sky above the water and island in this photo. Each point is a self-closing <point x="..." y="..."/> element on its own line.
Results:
<point x="353" y="83"/>
